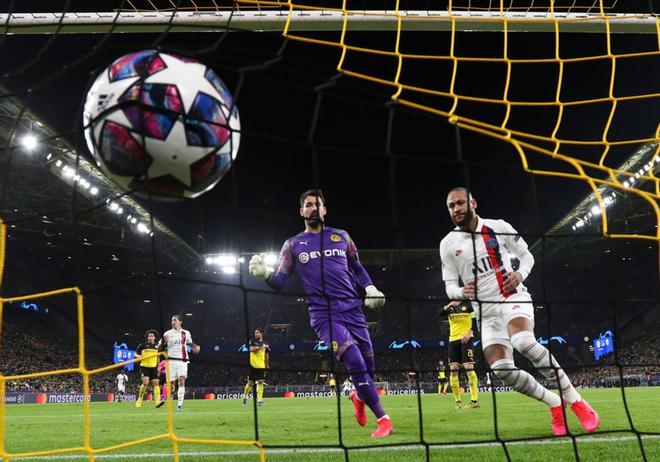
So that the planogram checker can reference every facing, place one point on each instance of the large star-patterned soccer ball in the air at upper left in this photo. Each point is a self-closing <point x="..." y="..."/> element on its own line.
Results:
<point x="161" y="123"/>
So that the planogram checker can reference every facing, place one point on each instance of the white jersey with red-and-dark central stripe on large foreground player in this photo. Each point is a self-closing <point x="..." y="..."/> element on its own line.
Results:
<point x="485" y="255"/>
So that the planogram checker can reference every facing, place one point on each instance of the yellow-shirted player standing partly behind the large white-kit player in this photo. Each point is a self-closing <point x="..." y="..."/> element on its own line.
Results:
<point x="462" y="326"/>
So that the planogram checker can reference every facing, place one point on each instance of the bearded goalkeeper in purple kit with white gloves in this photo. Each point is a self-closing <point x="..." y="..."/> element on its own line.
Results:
<point x="327" y="262"/>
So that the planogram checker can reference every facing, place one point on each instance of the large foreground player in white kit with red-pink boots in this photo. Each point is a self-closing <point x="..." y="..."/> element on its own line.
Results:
<point x="479" y="251"/>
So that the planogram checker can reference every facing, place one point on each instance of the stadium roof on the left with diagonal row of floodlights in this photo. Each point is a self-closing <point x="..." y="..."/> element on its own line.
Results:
<point x="38" y="194"/>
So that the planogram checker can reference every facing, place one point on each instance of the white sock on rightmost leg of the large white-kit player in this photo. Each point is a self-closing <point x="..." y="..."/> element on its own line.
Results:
<point x="525" y="343"/>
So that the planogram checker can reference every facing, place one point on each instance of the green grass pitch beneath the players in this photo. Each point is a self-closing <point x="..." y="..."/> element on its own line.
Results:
<point x="313" y="422"/>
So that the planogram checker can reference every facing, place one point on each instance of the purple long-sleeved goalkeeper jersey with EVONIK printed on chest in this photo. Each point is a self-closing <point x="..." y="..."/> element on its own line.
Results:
<point x="342" y="270"/>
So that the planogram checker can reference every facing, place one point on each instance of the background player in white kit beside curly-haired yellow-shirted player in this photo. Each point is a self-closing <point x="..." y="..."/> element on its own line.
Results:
<point x="175" y="342"/>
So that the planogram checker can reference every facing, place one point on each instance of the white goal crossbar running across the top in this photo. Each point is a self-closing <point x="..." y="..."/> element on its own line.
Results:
<point x="319" y="20"/>
